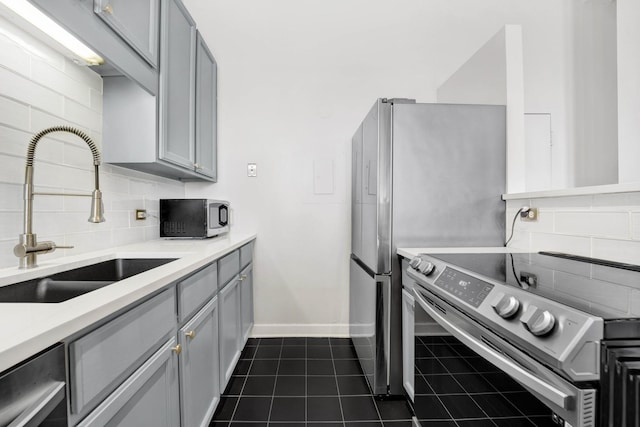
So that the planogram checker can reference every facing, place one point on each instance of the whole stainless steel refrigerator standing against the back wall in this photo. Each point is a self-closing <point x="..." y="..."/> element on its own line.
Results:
<point x="423" y="175"/>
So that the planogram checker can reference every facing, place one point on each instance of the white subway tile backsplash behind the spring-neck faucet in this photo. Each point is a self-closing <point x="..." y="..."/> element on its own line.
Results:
<point x="40" y="88"/>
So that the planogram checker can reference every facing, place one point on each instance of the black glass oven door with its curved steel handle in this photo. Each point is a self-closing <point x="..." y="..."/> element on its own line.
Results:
<point x="453" y="380"/>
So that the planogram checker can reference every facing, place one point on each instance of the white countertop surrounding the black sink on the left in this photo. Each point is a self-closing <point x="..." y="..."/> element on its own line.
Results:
<point x="26" y="329"/>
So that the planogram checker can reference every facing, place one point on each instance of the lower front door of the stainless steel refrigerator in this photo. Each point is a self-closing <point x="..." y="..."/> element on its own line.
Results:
<point x="368" y="324"/>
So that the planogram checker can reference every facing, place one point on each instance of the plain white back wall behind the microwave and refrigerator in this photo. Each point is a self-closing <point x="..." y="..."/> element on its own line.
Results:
<point x="295" y="80"/>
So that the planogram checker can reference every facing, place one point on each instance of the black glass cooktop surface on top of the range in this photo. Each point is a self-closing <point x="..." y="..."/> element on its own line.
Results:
<point x="603" y="288"/>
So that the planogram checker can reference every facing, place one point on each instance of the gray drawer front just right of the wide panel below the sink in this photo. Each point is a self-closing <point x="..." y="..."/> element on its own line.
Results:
<point x="196" y="290"/>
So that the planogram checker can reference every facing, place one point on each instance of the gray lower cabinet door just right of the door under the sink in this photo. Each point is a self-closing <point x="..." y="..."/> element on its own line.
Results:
<point x="199" y="366"/>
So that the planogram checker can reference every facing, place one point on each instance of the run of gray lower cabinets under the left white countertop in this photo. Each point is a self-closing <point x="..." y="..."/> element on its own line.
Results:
<point x="165" y="361"/>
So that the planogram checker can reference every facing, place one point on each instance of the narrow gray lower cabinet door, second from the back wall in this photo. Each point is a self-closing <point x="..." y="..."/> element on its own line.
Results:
<point x="230" y="332"/>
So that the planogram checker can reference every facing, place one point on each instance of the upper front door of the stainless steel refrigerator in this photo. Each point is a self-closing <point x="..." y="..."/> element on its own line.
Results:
<point x="372" y="189"/>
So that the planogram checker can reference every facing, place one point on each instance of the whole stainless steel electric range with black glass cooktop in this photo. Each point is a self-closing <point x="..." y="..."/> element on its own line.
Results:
<point x="560" y="333"/>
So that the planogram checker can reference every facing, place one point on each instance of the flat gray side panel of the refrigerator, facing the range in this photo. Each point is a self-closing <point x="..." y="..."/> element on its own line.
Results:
<point x="448" y="175"/>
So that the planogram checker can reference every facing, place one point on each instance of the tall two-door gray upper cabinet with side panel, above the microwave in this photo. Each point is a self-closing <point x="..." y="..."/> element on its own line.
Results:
<point x="174" y="135"/>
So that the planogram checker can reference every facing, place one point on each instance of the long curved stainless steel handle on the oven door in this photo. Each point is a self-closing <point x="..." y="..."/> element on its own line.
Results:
<point x="553" y="394"/>
